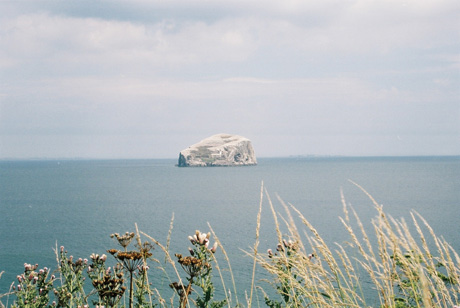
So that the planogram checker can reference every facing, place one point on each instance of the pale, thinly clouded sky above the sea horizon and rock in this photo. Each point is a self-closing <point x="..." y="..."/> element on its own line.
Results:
<point x="148" y="78"/>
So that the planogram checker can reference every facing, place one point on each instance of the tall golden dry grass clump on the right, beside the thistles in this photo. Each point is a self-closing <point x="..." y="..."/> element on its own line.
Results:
<point x="403" y="269"/>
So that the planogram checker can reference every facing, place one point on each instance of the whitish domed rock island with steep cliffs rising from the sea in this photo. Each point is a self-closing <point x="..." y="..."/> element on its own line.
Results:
<point x="219" y="150"/>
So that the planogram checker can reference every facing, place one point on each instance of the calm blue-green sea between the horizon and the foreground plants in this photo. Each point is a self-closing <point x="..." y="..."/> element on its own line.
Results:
<point x="78" y="204"/>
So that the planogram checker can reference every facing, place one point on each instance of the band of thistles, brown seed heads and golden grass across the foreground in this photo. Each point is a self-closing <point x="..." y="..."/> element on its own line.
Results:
<point x="404" y="268"/>
